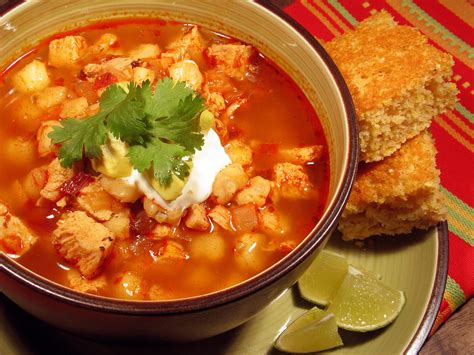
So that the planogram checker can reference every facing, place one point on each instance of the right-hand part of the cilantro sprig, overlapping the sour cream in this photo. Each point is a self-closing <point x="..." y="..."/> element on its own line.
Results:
<point x="173" y="110"/>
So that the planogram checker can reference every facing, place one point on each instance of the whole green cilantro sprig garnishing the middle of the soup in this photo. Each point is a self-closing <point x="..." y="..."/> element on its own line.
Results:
<point x="161" y="128"/>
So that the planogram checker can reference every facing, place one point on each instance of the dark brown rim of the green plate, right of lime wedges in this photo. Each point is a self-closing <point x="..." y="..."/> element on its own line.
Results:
<point x="436" y="297"/>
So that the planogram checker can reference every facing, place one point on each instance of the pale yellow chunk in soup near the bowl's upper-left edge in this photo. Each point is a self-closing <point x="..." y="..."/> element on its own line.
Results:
<point x="33" y="77"/>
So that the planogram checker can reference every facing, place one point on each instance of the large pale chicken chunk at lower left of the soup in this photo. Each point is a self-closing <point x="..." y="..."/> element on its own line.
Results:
<point x="83" y="242"/>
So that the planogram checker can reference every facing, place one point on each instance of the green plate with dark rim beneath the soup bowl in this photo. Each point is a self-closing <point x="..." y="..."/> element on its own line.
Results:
<point x="416" y="264"/>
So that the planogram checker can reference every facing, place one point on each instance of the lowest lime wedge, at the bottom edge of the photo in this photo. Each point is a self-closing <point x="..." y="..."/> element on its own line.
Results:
<point x="315" y="330"/>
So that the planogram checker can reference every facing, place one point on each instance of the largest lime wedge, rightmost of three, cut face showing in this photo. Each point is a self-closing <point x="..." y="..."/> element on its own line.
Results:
<point x="363" y="303"/>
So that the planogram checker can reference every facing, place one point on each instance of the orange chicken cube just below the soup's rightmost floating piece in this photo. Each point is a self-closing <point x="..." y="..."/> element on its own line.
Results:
<point x="291" y="181"/>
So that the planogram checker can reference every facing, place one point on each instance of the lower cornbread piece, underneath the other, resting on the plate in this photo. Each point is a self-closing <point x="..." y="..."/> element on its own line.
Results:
<point x="397" y="194"/>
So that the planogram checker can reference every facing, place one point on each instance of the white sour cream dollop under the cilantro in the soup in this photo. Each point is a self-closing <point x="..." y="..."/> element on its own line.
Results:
<point x="207" y="163"/>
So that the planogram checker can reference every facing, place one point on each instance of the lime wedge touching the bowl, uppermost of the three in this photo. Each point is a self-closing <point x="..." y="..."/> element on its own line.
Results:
<point x="319" y="284"/>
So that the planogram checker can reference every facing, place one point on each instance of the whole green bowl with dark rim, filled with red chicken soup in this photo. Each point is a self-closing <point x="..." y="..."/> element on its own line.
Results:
<point x="168" y="168"/>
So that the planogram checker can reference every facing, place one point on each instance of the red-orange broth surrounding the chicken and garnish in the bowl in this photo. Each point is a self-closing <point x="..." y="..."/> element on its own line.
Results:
<point x="273" y="118"/>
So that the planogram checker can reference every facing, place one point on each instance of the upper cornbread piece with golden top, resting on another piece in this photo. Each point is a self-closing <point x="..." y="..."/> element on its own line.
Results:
<point x="397" y="80"/>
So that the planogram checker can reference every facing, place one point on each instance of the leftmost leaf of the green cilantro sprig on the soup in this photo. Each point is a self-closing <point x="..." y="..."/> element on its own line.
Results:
<point x="79" y="137"/>
